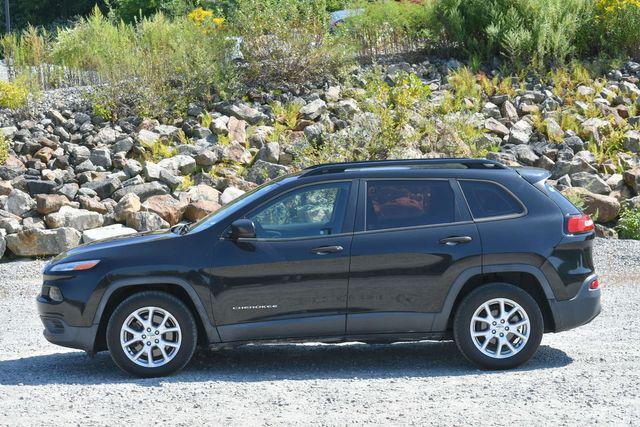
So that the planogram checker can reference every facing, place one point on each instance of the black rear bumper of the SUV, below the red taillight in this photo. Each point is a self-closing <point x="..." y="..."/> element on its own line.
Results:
<point x="579" y="310"/>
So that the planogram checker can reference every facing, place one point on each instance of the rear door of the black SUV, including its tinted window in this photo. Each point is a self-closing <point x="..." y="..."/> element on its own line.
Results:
<point x="413" y="238"/>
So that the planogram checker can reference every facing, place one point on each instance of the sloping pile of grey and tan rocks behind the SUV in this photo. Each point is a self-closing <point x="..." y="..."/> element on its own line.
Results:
<point x="73" y="178"/>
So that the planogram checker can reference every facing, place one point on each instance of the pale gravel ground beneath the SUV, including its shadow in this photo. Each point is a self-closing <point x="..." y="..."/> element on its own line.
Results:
<point x="582" y="377"/>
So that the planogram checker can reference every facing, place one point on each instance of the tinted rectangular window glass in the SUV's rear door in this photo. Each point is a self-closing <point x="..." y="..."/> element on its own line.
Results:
<point x="408" y="203"/>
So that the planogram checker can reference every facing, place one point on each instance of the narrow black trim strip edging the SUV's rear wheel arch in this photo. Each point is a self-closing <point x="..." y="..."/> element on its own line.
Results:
<point x="441" y="319"/>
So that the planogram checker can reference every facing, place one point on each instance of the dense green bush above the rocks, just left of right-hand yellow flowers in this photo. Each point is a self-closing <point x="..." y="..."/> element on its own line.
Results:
<point x="541" y="32"/>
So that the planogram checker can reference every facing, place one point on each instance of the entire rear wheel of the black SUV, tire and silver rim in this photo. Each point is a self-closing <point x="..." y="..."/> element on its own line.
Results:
<point x="498" y="326"/>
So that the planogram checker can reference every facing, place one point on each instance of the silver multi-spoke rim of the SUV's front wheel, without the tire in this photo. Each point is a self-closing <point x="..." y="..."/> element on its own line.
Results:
<point x="150" y="337"/>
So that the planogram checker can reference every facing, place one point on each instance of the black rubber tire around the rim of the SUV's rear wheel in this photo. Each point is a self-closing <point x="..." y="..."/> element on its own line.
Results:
<point x="463" y="318"/>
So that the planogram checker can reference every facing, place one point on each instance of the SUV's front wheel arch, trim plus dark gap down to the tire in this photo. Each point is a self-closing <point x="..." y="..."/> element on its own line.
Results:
<point x="120" y="290"/>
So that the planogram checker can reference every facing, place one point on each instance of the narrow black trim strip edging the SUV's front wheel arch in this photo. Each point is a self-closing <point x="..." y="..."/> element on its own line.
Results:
<point x="211" y="331"/>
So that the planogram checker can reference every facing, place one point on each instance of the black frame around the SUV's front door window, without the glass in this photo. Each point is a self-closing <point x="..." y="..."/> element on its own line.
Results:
<point x="350" y="205"/>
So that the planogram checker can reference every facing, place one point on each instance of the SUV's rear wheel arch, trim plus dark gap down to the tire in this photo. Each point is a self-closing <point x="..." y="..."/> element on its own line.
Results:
<point x="527" y="277"/>
